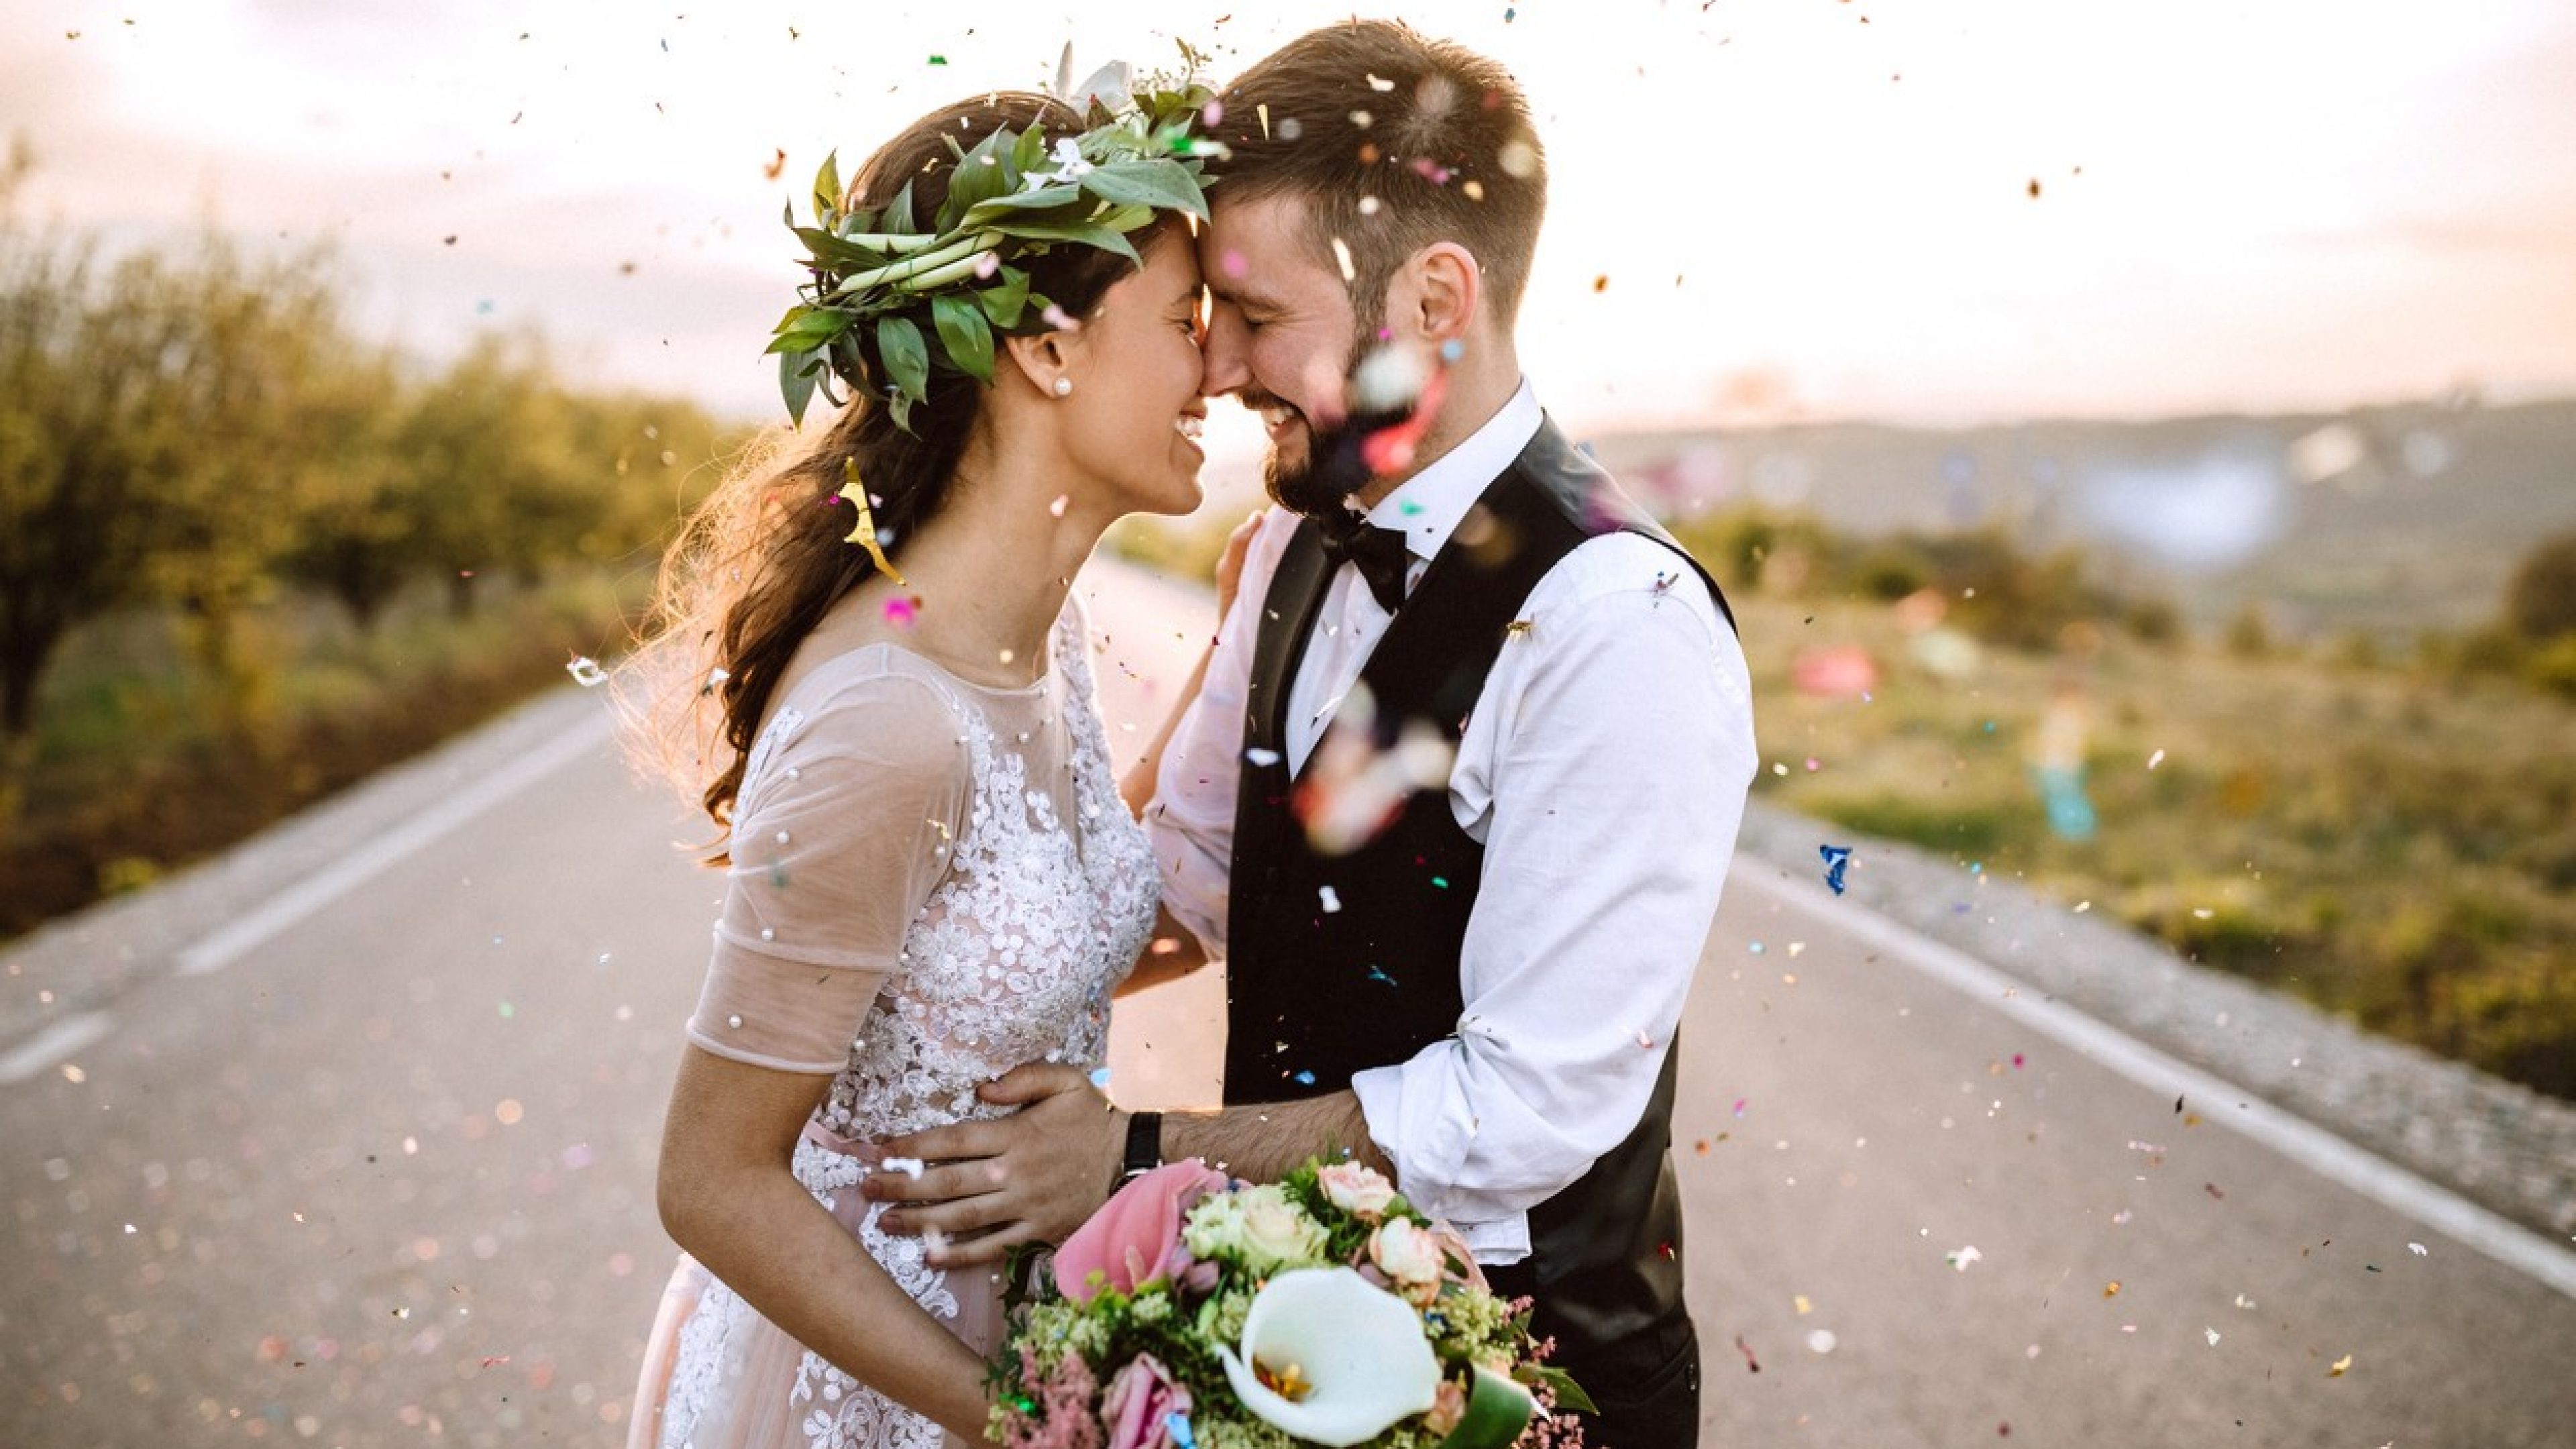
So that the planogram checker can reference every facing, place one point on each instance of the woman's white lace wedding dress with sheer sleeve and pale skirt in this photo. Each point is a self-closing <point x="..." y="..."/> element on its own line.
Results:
<point x="960" y="857"/>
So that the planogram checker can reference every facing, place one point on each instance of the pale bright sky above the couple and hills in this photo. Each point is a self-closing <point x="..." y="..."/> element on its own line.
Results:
<point x="1761" y="210"/>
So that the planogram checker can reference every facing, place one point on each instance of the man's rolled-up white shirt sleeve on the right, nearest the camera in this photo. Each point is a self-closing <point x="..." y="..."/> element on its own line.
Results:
<point x="1606" y="775"/>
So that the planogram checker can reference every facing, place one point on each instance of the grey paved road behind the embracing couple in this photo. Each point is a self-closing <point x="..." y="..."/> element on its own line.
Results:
<point x="377" y="1169"/>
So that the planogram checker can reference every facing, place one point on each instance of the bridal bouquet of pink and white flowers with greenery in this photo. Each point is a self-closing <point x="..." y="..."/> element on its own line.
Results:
<point x="1202" y="1314"/>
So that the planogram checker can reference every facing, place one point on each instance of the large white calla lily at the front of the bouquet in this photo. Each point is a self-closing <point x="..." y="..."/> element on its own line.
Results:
<point x="1356" y="1347"/>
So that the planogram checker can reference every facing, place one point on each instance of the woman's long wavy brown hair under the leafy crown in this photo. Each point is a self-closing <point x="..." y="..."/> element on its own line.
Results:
<point x="766" y="556"/>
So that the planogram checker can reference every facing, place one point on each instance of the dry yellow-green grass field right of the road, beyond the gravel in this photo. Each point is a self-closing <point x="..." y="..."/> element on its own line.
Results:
<point x="2389" y="844"/>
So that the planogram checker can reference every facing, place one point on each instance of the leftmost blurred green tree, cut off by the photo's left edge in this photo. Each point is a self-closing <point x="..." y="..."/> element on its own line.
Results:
<point x="143" y="416"/>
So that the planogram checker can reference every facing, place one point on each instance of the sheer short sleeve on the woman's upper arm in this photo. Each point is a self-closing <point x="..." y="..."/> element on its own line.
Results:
<point x="844" y="831"/>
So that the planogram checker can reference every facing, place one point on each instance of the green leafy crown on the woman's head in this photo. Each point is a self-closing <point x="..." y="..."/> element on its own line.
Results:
<point x="1011" y="197"/>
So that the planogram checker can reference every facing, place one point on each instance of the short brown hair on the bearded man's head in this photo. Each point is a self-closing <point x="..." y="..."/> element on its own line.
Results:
<point x="1395" y="141"/>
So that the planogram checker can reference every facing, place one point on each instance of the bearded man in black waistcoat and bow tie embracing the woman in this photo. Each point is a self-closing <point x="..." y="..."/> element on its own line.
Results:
<point x="1467" y="770"/>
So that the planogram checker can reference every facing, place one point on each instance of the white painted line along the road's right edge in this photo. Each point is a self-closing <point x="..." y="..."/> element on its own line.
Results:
<point x="2289" y="1136"/>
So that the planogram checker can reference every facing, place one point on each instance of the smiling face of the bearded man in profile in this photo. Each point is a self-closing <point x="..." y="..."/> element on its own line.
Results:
<point x="1282" y="334"/>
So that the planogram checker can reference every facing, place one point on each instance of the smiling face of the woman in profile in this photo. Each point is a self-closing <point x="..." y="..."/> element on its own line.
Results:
<point x="1137" y="409"/>
